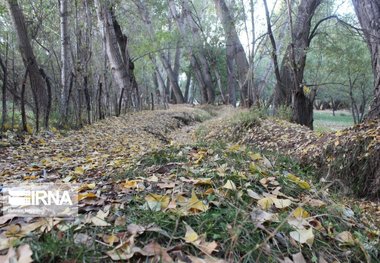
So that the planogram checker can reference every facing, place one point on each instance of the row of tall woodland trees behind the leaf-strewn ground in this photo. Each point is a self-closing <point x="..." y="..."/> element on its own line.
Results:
<point x="79" y="61"/>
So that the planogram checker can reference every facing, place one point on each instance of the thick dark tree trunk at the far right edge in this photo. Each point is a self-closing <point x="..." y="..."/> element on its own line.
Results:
<point x="368" y="12"/>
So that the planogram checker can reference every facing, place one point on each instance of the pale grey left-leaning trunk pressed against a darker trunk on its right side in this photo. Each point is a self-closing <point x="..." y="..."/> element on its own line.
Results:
<point x="120" y="70"/>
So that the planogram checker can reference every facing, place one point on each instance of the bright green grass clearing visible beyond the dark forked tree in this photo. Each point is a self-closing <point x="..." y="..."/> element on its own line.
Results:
<point x="324" y="121"/>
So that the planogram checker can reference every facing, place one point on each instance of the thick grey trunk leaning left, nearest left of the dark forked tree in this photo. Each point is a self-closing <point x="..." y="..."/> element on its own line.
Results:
<point x="238" y="53"/>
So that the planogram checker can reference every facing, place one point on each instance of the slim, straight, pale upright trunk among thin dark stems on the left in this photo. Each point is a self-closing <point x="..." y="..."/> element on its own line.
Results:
<point x="65" y="49"/>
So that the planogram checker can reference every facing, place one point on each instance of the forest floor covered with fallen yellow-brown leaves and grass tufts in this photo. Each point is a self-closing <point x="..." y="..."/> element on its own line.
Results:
<point x="185" y="185"/>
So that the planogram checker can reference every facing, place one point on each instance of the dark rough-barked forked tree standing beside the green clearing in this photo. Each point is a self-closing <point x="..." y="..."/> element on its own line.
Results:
<point x="290" y="90"/>
